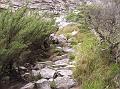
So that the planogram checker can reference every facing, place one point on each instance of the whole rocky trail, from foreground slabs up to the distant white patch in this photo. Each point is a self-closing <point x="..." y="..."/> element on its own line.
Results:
<point x="53" y="74"/>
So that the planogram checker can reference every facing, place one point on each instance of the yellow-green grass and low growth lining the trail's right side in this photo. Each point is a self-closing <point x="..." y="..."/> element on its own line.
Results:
<point x="94" y="68"/>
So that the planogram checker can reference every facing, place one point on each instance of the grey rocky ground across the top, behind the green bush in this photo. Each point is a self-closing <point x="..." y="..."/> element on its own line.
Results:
<point x="55" y="6"/>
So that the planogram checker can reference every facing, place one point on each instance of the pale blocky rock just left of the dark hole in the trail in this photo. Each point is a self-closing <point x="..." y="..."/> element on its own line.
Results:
<point x="47" y="73"/>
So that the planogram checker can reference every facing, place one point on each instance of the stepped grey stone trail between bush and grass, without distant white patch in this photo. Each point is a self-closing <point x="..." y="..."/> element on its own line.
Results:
<point x="56" y="73"/>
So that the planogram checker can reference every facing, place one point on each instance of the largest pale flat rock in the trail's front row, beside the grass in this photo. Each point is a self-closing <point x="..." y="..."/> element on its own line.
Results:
<point x="64" y="82"/>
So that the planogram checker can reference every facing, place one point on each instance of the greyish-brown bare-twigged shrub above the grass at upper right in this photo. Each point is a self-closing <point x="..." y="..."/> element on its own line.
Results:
<point x="105" y="21"/>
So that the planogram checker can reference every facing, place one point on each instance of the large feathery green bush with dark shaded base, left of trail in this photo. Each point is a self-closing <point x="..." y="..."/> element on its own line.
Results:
<point x="23" y="39"/>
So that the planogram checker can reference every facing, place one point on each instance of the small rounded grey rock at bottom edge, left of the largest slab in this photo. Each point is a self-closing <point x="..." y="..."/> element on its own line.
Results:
<point x="43" y="84"/>
